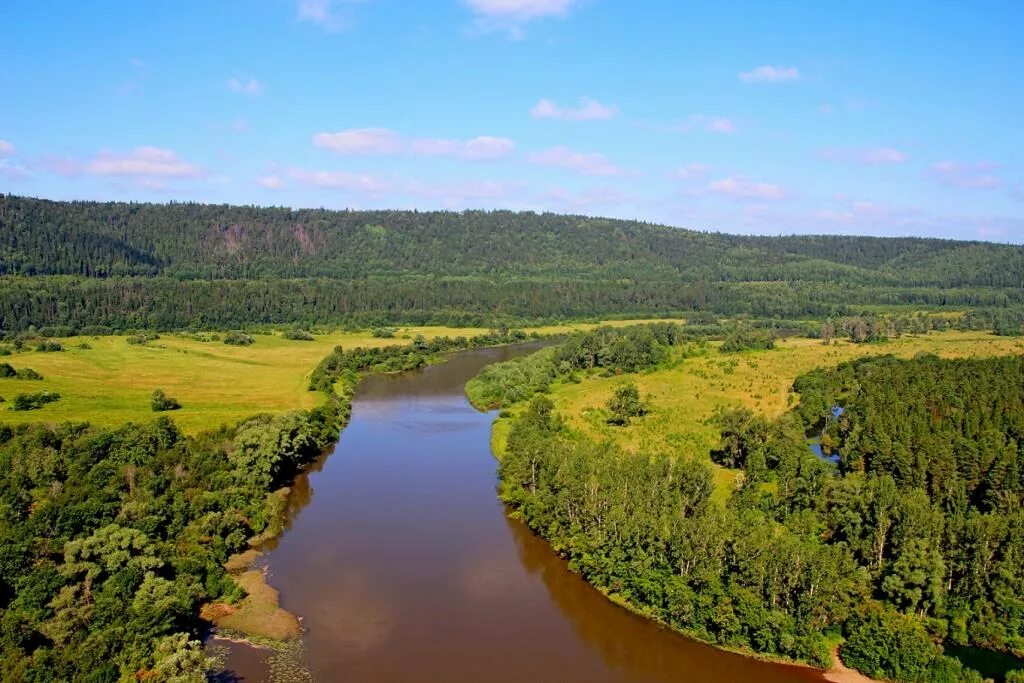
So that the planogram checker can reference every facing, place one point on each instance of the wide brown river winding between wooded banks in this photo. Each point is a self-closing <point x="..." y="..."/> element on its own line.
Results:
<point x="404" y="567"/>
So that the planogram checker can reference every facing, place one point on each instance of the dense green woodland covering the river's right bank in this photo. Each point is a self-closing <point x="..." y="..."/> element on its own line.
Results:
<point x="913" y="542"/>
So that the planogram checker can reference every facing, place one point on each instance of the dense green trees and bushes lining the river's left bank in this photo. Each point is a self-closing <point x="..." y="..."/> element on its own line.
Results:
<point x="111" y="539"/>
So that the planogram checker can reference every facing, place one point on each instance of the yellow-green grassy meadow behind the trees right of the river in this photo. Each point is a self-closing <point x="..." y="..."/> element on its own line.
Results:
<point x="686" y="397"/>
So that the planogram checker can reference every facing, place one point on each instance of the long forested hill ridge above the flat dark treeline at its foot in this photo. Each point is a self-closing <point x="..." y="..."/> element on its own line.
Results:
<point x="195" y="241"/>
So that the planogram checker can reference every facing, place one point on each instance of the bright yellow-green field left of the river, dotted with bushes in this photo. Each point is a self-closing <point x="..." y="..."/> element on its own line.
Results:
<point x="111" y="382"/>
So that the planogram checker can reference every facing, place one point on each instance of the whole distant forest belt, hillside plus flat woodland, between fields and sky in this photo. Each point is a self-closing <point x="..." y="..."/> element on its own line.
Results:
<point x="176" y="266"/>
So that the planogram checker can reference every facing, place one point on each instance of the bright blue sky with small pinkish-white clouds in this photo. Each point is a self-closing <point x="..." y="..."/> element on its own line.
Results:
<point x="862" y="118"/>
